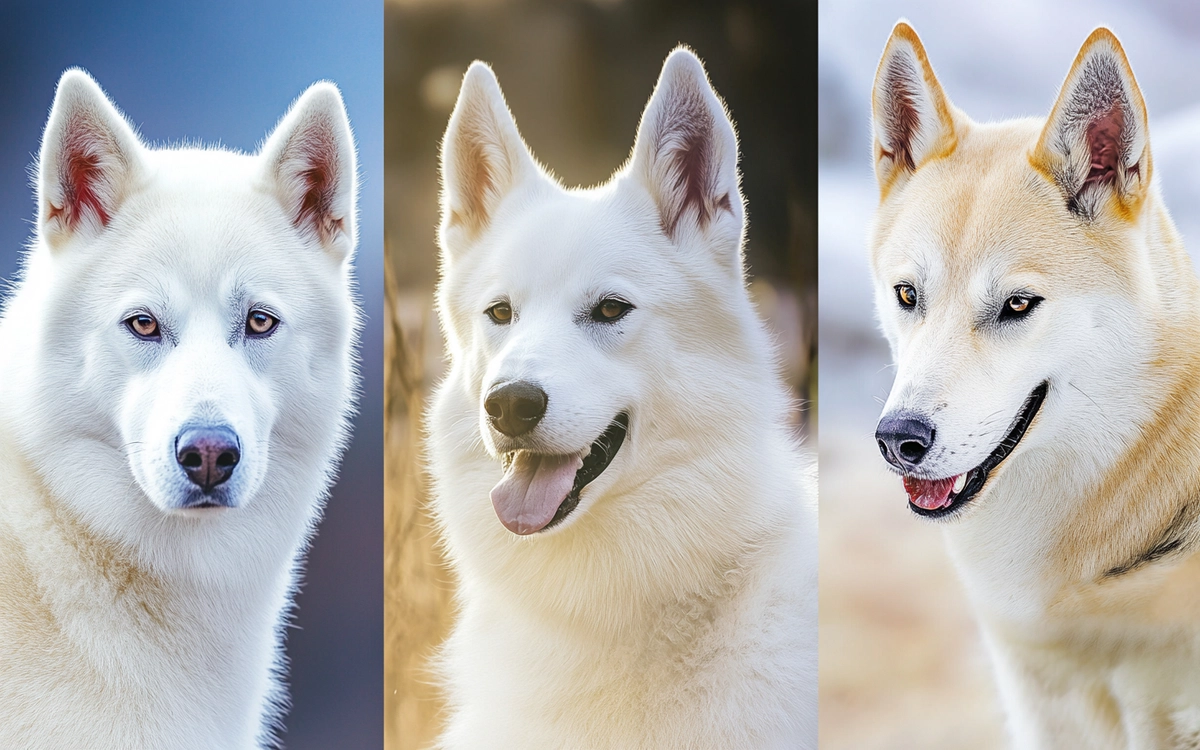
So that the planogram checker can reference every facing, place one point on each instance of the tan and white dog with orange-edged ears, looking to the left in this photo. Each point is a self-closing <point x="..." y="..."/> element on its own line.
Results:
<point x="1045" y="317"/>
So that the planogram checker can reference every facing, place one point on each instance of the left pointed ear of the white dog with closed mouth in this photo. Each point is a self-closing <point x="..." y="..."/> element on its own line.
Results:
<point x="91" y="157"/>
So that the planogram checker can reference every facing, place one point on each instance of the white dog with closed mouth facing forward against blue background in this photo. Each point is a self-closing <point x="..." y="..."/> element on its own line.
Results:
<point x="176" y="383"/>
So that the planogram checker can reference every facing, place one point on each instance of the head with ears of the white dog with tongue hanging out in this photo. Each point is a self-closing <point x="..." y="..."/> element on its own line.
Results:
<point x="569" y="313"/>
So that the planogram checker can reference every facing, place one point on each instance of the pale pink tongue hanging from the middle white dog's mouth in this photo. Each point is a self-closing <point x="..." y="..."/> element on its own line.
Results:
<point x="532" y="490"/>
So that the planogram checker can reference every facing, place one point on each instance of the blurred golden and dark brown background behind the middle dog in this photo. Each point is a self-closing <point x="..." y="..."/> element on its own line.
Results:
<point x="577" y="75"/>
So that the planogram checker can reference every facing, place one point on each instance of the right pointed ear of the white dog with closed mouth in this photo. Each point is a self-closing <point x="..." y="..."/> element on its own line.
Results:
<point x="310" y="165"/>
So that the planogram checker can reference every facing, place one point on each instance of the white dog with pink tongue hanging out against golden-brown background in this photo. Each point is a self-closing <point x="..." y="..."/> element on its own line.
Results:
<point x="616" y="479"/>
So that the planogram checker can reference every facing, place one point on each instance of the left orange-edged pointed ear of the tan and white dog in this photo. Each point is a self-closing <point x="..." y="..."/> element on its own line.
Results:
<point x="911" y="117"/>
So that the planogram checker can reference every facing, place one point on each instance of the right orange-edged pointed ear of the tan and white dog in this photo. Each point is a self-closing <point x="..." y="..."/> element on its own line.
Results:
<point x="1096" y="145"/>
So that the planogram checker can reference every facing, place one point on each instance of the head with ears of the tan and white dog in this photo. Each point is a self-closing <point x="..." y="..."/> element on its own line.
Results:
<point x="1015" y="266"/>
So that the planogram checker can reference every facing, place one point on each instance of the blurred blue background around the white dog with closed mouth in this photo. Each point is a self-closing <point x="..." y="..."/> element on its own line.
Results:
<point x="224" y="73"/>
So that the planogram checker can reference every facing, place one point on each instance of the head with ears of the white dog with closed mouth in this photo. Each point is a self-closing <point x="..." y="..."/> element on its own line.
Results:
<point x="189" y="311"/>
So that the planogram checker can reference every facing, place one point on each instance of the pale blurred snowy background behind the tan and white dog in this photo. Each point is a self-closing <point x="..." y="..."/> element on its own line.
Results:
<point x="901" y="662"/>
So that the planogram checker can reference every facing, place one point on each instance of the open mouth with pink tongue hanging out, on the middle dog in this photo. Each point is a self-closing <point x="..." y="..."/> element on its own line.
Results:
<point x="541" y="490"/>
